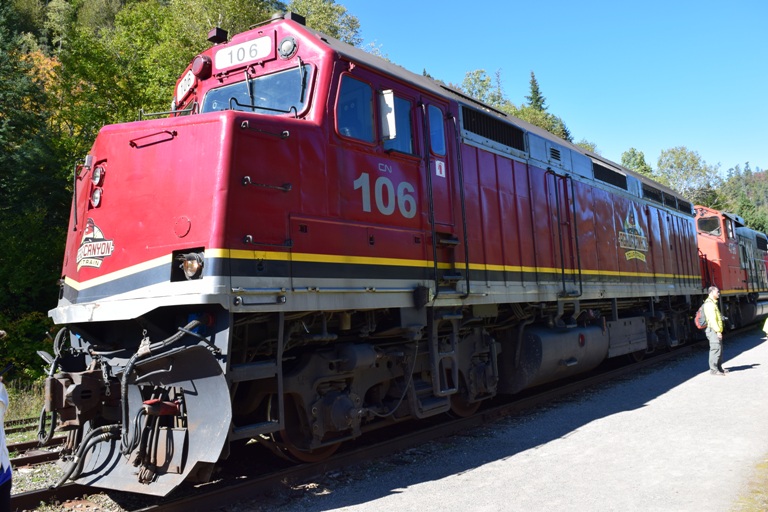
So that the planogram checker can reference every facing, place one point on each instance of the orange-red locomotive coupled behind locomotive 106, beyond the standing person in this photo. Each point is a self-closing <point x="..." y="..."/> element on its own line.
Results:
<point x="733" y="258"/>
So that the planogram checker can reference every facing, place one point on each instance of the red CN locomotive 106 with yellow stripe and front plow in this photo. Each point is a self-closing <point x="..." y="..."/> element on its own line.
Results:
<point x="316" y="243"/>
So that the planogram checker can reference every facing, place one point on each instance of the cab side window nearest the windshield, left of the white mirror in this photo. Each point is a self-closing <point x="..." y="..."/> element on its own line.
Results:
<point x="354" y="111"/>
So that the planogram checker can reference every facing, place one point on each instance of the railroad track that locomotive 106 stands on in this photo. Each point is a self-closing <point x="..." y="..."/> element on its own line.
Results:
<point x="213" y="496"/>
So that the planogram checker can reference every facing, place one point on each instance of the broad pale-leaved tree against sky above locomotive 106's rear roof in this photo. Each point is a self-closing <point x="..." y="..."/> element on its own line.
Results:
<point x="688" y="173"/>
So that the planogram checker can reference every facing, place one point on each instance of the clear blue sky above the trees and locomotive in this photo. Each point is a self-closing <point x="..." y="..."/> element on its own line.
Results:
<point x="651" y="75"/>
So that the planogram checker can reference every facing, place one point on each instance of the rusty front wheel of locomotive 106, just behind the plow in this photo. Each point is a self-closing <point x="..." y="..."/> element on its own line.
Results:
<point x="294" y="440"/>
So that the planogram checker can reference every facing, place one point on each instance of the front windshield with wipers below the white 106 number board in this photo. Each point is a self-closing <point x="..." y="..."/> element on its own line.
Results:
<point x="278" y="93"/>
